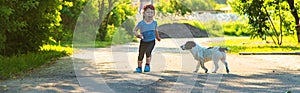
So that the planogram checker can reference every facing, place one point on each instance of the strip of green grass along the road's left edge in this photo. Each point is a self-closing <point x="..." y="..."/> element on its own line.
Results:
<point x="14" y="66"/>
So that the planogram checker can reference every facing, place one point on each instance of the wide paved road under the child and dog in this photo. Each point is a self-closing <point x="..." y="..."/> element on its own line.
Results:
<point x="110" y="70"/>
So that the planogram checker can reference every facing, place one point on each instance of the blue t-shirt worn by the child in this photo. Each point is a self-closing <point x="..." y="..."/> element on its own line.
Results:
<point x="147" y="30"/>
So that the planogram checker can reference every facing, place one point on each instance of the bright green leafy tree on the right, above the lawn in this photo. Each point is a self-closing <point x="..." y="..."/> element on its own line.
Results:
<point x="267" y="18"/>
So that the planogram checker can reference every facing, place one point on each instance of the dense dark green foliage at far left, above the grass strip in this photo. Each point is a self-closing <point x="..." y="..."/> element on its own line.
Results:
<point x="26" y="25"/>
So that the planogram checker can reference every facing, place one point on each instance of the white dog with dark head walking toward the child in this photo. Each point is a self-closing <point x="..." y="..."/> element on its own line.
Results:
<point x="203" y="55"/>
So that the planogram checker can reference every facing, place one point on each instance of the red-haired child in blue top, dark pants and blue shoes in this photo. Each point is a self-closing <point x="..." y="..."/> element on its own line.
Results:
<point x="148" y="33"/>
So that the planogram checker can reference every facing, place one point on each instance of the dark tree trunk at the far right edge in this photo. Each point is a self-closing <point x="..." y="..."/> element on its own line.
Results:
<point x="296" y="17"/>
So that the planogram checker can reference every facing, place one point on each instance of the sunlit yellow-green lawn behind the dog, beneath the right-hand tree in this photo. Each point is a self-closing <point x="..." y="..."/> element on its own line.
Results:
<point x="245" y="44"/>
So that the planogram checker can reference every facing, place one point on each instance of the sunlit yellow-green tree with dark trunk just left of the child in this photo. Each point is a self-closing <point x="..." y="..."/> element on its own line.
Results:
<point x="113" y="16"/>
